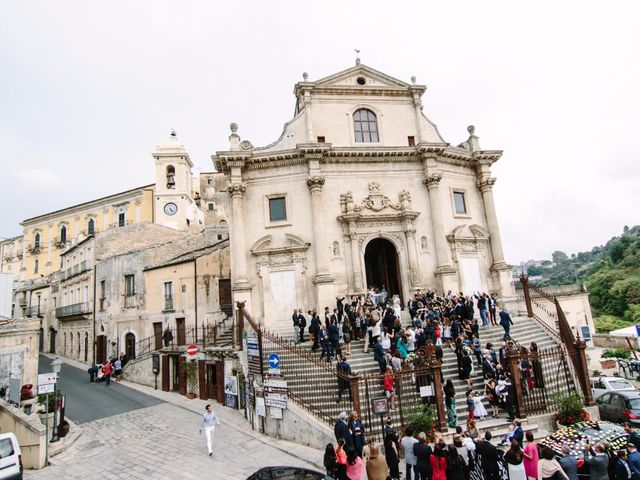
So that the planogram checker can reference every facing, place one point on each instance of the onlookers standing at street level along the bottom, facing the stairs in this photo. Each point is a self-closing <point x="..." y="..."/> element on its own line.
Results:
<point x="471" y="455"/>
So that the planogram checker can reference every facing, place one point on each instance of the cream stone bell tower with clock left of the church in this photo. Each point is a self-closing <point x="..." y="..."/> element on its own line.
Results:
<point x="174" y="204"/>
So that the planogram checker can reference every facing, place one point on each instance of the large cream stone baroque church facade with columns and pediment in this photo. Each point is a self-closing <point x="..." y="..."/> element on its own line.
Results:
<point x="359" y="191"/>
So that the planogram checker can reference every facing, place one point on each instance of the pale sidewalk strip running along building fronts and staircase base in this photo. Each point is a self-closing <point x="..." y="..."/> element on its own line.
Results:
<point x="229" y="416"/>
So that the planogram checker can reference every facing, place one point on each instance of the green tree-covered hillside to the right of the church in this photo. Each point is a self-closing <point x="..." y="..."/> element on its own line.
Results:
<point x="611" y="273"/>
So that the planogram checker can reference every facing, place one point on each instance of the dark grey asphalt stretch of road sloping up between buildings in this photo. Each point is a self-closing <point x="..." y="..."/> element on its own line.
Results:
<point x="88" y="401"/>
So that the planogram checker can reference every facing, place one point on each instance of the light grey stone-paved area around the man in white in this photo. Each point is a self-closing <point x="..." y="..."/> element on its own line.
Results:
<point x="162" y="443"/>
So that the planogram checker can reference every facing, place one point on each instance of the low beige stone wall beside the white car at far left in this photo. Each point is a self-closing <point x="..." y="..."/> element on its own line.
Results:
<point x="29" y="431"/>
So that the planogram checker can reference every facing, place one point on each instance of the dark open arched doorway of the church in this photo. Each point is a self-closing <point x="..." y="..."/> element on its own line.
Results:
<point x="382" y="267"/>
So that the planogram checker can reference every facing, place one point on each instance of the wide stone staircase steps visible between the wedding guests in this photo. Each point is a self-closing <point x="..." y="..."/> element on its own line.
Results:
<point x="300" y="374"/>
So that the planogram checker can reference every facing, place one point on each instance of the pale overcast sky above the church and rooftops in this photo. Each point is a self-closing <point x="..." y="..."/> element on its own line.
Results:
<point x="88" y="89"/>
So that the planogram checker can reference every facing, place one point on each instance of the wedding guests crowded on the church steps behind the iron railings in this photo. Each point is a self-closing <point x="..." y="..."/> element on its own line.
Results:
<point x="448" y="321"/>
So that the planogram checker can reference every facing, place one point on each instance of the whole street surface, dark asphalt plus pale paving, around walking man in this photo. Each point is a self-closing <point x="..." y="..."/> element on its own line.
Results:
<point x="127" y="433"/>
